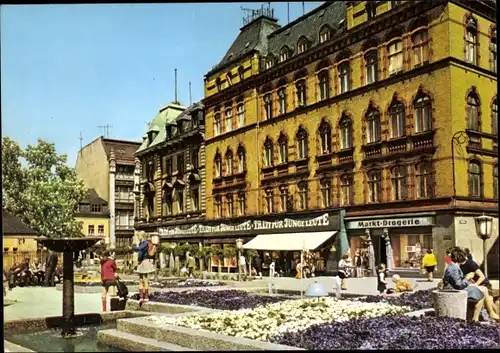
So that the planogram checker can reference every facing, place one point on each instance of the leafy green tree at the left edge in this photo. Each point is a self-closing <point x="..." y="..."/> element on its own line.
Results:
<point x="40" y="189"/>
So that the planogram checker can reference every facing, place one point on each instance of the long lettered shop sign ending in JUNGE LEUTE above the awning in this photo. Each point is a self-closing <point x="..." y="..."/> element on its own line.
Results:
<point x="253" y="225"/>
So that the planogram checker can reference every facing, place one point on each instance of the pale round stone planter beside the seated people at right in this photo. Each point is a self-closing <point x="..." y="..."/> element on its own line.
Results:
<point x="450" y="303"/>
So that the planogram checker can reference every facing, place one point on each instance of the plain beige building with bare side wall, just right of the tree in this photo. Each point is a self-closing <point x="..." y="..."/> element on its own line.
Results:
<point x="108" y="166"/>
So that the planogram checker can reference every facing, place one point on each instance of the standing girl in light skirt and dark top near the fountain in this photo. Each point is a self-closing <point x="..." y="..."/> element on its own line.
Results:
<point x="146" y="254"/>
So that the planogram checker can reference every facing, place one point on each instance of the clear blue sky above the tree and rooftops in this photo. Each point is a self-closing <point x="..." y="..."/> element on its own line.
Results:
<point x="68" y="68"/>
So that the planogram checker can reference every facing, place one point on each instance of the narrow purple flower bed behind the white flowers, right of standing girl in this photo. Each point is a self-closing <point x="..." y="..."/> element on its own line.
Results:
<point x="221" y="299"/>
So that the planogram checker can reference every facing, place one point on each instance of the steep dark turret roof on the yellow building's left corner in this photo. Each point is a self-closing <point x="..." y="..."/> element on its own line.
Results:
<point x="252" y="36"/>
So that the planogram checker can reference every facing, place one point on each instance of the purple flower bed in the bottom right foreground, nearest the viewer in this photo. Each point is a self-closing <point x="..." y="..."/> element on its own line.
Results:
<point x="396" y="332"/>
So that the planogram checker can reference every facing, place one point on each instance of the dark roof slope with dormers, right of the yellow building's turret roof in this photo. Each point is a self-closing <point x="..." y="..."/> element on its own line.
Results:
<point x="331" y="13"/>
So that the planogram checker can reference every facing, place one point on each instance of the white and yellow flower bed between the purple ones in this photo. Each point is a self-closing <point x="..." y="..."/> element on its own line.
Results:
<point x="267" y="321"/>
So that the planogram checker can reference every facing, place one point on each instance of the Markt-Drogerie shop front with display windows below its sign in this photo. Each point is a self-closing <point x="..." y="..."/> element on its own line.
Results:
<point x="398" y="241"/>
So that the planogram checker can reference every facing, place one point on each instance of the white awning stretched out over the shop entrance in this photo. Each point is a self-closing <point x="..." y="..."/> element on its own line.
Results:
<point x="289" y="241"/>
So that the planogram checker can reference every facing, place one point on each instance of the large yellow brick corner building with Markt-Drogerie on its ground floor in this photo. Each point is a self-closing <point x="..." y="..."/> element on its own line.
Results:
<point x="384" y="109"/>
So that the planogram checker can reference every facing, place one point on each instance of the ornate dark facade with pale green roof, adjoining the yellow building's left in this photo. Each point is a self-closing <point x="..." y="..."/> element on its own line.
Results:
<point x="170" y="174"/>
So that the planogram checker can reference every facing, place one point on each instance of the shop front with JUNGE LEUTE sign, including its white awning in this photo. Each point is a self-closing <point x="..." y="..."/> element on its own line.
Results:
<point x="271" y="236"/>
